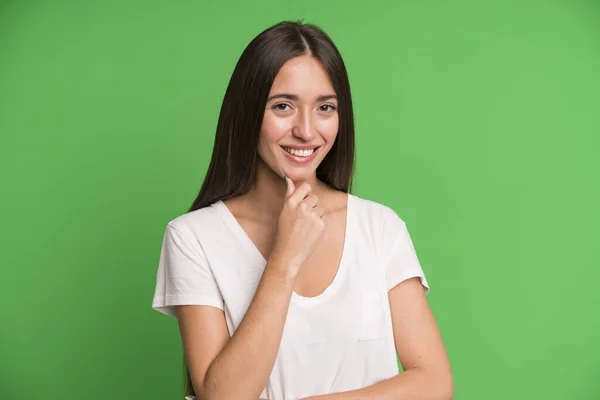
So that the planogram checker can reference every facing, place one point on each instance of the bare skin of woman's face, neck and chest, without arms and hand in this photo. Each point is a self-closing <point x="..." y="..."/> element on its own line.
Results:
<point x="309" y="119"/>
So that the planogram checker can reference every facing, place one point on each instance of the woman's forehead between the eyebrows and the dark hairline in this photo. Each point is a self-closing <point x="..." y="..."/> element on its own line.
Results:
<point x="302" y="75"/>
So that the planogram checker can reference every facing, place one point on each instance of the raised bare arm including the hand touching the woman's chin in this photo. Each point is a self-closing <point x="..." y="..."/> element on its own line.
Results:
<point x="239" y="367"/>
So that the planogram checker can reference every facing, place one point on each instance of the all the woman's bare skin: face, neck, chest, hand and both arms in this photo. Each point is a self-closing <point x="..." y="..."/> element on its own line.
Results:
<point x="299" y="230"/>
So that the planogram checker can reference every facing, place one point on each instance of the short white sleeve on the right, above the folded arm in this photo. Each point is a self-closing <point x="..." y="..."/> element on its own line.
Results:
<point x="401" y="261"/>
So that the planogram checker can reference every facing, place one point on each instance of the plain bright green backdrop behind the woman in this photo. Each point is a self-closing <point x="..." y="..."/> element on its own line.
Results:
<point x="477" y="122"/>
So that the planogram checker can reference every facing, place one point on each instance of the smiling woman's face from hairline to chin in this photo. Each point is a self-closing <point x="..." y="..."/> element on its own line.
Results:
<point x="301" y="119"/>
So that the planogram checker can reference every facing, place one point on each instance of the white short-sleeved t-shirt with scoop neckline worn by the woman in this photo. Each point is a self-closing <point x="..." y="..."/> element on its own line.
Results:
<point x="338" y="341"/>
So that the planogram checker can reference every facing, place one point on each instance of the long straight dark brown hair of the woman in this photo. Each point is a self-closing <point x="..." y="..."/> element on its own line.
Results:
<point x="233" y="164"/>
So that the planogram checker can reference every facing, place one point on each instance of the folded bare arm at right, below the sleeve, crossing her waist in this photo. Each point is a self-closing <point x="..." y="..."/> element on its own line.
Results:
<point x="427" y="373"/>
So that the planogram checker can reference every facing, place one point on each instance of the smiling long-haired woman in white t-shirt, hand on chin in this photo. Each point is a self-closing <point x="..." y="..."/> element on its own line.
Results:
<point x="284" y="285"/>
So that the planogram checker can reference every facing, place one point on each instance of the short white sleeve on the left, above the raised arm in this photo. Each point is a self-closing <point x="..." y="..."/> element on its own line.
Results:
<point x="184" y="276"/>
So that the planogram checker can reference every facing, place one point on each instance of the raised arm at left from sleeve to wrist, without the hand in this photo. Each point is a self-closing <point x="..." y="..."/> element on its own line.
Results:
<point x="237" y="367"/>
